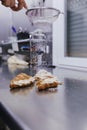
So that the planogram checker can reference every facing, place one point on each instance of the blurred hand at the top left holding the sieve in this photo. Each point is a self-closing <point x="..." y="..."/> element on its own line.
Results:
<point x="15" y="5"/>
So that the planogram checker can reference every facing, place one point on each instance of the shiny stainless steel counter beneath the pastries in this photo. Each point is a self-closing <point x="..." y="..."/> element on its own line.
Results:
<point x="64" y="108"/>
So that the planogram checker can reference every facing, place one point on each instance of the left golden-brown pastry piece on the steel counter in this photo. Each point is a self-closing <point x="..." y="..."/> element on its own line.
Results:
<point x="21" y="80"/>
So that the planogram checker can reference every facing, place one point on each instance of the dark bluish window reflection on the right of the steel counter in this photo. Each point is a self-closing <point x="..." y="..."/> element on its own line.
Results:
<point x="76" y="103"/>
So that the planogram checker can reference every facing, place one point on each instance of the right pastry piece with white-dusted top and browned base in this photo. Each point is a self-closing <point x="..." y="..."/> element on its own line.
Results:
<point x="46" y="80"/>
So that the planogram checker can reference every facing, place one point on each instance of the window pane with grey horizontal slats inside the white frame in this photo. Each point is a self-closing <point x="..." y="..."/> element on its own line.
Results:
<point x="77" y="28"/>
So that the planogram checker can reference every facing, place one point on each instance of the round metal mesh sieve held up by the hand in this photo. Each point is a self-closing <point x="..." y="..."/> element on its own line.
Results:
<point x="42" y="15"/>
